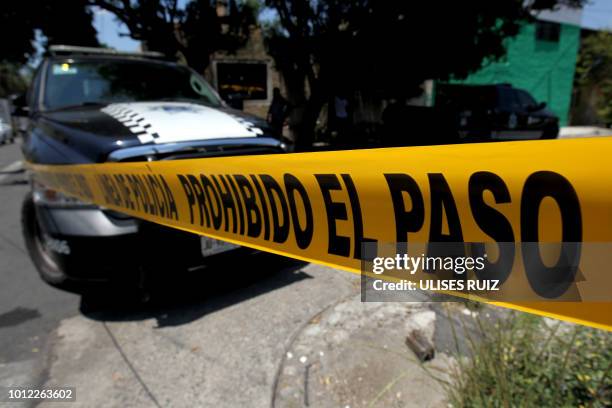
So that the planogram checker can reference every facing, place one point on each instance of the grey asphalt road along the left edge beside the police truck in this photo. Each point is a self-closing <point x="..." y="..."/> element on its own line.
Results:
<point x="29" y="309"/>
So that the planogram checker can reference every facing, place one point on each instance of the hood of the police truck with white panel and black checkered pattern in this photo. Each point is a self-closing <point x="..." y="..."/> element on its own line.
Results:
<point x="95" y="131"/>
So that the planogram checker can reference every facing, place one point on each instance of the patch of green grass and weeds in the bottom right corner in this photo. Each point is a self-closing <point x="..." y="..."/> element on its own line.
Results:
<point x="521" y="361"/>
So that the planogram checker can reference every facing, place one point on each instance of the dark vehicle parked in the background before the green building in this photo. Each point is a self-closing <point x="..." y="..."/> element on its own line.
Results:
<point x="496" y="112"/>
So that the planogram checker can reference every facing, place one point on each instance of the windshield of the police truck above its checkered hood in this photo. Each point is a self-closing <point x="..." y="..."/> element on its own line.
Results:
<point x="73" y="83"/>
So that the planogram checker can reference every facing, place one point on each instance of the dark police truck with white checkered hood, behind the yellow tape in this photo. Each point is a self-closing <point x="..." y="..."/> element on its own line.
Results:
<point x="92" y="106"/>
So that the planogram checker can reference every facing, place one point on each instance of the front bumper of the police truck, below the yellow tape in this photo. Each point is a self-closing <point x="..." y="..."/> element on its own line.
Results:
<point x="100" y="245"/>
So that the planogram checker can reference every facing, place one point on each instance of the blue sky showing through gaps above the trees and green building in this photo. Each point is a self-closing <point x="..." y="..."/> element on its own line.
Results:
<point x="596" y="15"/>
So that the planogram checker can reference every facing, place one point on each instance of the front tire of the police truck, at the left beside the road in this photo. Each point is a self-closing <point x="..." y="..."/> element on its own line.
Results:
<point x="50" y="266"/>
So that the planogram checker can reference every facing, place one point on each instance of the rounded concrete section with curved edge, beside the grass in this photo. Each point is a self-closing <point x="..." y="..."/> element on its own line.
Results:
<point x="354" y="355"/>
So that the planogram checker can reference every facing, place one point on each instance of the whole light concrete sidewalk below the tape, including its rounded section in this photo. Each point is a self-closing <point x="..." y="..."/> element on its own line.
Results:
<point x="309" y="343"/>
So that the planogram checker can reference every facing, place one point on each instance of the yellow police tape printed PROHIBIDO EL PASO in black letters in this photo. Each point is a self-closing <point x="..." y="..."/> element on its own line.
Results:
<point x="321" y="206"/>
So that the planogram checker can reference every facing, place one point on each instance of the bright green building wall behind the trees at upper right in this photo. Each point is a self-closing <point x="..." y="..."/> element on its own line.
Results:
<point x="544" y="68"/>
